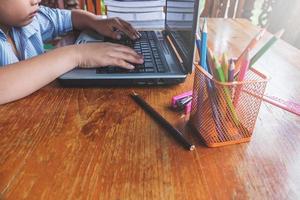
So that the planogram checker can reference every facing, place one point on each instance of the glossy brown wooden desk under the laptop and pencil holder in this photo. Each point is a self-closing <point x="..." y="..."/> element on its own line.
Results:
<point x="96" y="143"/>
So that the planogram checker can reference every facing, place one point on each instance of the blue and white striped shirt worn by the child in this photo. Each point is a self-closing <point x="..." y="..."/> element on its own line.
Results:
<point x="48" y="24"/>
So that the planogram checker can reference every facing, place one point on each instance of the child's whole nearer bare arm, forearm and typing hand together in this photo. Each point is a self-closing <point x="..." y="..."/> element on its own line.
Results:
<point x="23" y="78"/>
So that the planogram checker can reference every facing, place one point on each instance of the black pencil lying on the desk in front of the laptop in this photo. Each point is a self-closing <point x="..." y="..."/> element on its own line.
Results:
<point x="174" y="132"/>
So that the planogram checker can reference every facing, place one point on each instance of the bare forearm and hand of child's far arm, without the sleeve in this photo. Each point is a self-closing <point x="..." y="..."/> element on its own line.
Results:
<point x="108" y="27"/>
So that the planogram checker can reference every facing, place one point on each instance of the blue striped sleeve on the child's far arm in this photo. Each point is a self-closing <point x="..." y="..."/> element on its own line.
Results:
<point x="54" y="22"/>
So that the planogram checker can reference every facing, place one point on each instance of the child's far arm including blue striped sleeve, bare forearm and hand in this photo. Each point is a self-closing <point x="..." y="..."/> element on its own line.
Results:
<point x="55" y="22"/>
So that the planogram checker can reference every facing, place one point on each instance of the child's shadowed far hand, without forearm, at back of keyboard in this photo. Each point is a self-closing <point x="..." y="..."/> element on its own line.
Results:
<point x="113" y="27"/>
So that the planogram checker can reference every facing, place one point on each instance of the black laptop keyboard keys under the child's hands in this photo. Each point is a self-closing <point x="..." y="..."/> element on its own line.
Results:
<point x="146" y="46"/>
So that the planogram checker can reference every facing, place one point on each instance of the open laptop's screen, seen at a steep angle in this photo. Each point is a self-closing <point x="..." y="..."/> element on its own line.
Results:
<point x="181" y="23"/>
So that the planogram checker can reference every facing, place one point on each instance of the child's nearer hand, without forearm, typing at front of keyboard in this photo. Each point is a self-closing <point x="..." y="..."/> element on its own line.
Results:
<point x="105" y="54"/>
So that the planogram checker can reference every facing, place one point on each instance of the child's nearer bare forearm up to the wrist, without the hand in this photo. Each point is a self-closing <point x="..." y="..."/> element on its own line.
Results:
<point x="23" y="78"/>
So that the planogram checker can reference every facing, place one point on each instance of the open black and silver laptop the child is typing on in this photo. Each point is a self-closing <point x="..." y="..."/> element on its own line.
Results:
<point x="168" y="53"/>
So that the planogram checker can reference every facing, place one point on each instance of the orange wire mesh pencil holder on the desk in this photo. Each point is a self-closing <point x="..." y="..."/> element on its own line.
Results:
<point x="225" y="113"/>
